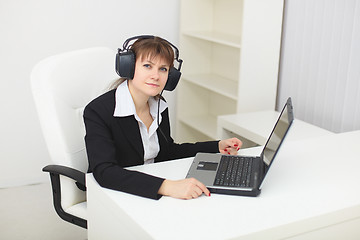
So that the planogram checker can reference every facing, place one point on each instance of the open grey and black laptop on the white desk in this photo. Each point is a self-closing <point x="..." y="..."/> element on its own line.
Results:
<point x="241" y="175"/>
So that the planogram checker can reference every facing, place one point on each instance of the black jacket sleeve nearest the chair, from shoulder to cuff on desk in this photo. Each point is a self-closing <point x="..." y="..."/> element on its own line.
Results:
<point x="104" y="160"/>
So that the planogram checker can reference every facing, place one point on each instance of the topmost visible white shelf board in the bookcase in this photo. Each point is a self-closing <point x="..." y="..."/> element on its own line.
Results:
<point x="221" y="38"/>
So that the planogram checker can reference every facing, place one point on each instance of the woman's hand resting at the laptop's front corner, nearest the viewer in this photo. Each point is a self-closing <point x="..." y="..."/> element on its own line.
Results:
<point x="184" y="189"/>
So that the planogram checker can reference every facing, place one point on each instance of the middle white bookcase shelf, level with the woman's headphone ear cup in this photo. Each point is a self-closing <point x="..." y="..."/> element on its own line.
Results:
<point x="215" y="83"/>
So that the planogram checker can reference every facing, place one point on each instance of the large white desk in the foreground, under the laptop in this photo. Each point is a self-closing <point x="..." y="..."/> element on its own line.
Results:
<point x="311" y="192"/>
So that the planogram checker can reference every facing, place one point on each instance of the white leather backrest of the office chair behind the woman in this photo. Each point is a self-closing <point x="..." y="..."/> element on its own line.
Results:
<point x="62" y="86"/>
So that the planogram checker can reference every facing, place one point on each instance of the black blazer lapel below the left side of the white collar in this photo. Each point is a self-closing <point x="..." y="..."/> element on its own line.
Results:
<point x="131" y="131"/>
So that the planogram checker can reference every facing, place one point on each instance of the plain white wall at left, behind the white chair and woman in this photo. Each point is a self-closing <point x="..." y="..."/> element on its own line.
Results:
<point x="31" y="30"/>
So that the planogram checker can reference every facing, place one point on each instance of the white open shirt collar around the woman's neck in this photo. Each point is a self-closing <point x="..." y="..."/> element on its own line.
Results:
<point x="124" y="104"/>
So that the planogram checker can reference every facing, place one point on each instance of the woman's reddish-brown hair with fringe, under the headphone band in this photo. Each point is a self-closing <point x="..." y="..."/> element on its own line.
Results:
<point x="149" y="48"/>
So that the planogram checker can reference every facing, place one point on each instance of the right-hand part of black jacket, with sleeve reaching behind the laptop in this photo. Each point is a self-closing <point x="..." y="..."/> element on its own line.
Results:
<point x="170" y="150"/>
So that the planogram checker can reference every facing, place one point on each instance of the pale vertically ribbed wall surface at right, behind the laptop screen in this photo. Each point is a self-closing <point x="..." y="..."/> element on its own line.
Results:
<point x="320" y="62"/>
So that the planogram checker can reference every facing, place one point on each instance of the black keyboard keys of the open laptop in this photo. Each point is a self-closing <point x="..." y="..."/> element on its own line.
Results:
<point x="234" y="171"/>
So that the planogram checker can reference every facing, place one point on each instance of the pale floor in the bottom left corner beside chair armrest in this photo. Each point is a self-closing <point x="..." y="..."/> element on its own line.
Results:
<point x="27" y="213"/>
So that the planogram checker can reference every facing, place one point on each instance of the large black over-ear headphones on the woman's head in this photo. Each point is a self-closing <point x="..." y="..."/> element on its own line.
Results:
<point x="125" y="63"/>
